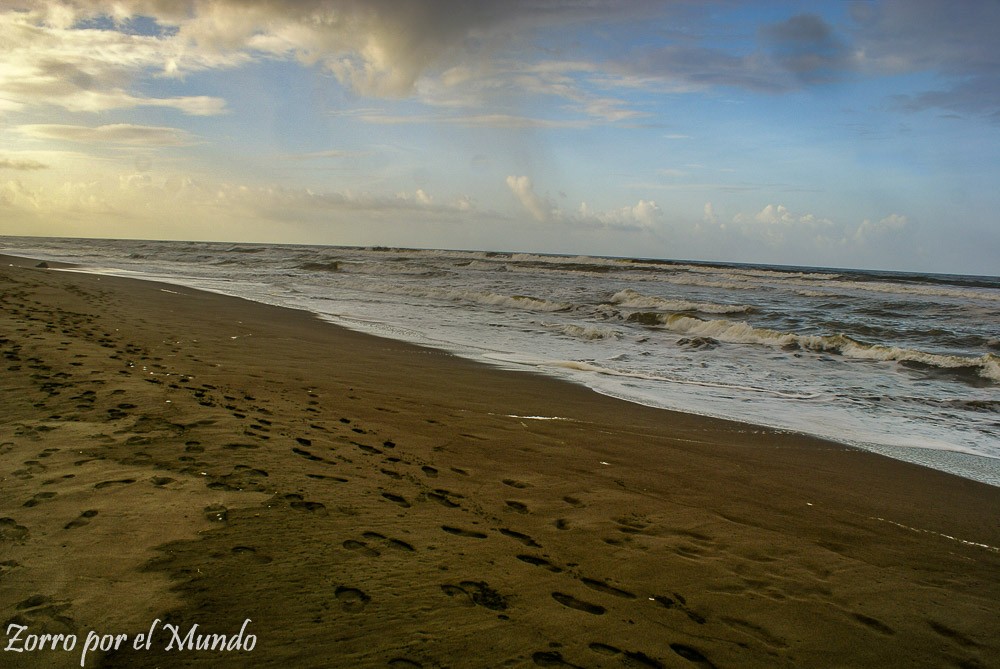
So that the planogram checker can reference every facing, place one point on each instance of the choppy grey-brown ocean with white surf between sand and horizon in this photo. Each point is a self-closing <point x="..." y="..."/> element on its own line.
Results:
<point x="903" y="364"/>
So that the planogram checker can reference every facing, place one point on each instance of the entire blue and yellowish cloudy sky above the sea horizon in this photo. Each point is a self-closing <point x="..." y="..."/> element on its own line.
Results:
<point x="834" y="134"/>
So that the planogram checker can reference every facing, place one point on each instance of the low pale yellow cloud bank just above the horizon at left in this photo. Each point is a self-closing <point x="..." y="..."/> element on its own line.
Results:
<point x="197" y="208"/>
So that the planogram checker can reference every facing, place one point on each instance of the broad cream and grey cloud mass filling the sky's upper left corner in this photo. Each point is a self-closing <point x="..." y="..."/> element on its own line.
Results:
<point x="84" y="55"/>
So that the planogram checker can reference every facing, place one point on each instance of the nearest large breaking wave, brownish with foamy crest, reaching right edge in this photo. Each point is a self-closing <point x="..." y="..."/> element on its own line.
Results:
<point x="986" y="365"/>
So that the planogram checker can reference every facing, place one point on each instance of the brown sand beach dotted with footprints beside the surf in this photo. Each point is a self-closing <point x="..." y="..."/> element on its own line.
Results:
<point x="175" y="455"/>
